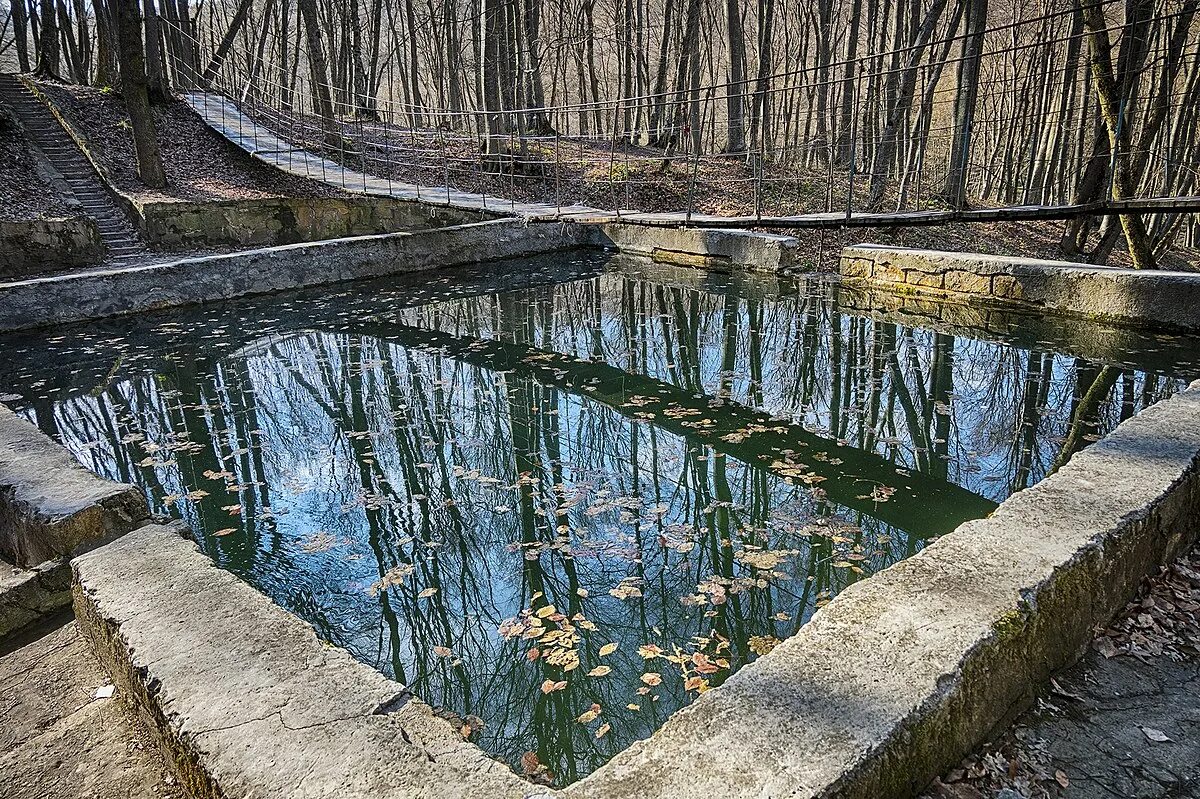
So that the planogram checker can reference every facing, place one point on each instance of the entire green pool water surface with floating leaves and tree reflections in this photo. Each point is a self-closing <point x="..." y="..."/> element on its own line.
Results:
<point x="561" y="498"/>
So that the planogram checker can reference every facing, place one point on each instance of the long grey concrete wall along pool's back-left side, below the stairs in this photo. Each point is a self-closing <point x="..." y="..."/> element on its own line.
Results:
<point x="117" y="292"/>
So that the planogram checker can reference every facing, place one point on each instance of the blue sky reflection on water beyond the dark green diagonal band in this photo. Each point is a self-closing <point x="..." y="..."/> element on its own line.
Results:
<point x="988" y="377"/>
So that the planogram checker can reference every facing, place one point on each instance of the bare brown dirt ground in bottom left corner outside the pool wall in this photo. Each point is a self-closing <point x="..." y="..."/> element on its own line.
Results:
<point x="61" y="737"/>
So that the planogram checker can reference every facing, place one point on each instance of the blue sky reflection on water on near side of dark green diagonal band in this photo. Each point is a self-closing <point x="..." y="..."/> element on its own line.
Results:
<point x="639" y="506"/>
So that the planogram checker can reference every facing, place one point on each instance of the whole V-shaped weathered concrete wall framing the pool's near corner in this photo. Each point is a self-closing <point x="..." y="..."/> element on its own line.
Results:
<point x="889" y="684"/>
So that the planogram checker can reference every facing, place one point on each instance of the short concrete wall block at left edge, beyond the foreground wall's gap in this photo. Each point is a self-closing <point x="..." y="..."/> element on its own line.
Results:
<point x="52" y="508"/>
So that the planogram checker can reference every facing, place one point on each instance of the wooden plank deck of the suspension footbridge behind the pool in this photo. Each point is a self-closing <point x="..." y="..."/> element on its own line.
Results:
<point x="261" y="142"/>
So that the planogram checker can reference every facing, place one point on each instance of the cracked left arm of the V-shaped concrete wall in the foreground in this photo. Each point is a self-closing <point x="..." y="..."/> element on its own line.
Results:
<point x="244" y="698"/>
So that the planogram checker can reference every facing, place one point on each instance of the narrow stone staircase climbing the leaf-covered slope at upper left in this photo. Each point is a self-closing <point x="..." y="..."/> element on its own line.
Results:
<point x="49" y="136"/>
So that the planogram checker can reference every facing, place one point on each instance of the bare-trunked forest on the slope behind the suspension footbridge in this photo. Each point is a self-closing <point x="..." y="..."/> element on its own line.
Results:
<point x="662" y="105"/>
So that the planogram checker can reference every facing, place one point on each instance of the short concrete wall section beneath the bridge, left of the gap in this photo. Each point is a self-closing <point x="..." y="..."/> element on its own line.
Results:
<point x="701" y="248"/>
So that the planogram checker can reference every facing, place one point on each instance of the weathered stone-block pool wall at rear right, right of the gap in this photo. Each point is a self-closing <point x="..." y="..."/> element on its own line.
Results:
<point x="1144" y="298"/>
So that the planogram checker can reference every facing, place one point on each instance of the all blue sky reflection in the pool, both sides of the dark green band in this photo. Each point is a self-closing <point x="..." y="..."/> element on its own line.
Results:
<point x="351" y="456"/>
